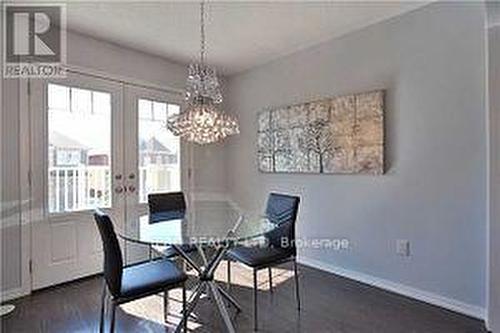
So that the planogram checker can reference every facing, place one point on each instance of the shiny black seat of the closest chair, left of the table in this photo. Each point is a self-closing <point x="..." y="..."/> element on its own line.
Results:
<point x="150" y="277"/>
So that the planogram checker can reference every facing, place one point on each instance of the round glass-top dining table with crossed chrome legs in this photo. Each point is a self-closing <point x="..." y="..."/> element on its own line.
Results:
<point x="206" y="231"/>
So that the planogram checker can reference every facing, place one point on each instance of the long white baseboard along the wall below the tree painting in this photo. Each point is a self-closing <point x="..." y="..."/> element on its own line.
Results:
<point x="398" y="288"/>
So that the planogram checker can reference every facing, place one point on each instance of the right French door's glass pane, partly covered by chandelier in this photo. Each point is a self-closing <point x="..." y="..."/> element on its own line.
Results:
<point x="159" y="149"/>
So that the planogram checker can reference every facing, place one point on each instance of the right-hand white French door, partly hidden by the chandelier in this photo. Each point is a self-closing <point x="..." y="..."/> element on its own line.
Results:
<point x="155" y="159"/>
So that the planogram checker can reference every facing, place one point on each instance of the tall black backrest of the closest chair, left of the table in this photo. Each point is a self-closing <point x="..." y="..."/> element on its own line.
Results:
<point x="113" y="262"/>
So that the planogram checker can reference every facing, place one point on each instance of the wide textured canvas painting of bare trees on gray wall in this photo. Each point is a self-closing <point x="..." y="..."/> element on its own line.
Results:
<point x="335" y="135"/>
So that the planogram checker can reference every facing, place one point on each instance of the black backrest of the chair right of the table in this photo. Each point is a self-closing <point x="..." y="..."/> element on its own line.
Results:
<point x="282" y="209"/>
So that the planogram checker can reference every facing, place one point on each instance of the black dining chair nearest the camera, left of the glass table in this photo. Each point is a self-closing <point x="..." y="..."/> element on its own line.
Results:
<point x="124" y="284"/>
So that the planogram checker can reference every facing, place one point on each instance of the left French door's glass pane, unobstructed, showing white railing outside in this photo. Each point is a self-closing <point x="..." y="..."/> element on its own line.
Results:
<point x="79" y="160"/>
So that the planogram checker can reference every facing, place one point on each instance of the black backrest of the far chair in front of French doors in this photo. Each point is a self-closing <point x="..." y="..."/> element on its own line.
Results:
<point x="166" y="206"/>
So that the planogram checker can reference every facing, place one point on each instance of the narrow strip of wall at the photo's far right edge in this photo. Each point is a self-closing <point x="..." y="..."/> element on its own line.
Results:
<point x="494" y="228"/>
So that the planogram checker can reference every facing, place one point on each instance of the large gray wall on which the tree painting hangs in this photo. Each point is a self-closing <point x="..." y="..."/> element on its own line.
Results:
<point x="432" y="63"/>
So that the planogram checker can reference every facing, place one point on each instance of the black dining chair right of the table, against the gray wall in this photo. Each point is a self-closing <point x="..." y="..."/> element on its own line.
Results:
<point x="280" y="248"/>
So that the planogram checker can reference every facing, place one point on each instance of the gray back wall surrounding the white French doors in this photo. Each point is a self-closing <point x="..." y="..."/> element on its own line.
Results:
<point x="85" y="52"/>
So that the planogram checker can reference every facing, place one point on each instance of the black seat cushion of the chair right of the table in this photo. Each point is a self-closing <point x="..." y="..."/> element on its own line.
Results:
<point x="259" y="256"/>
